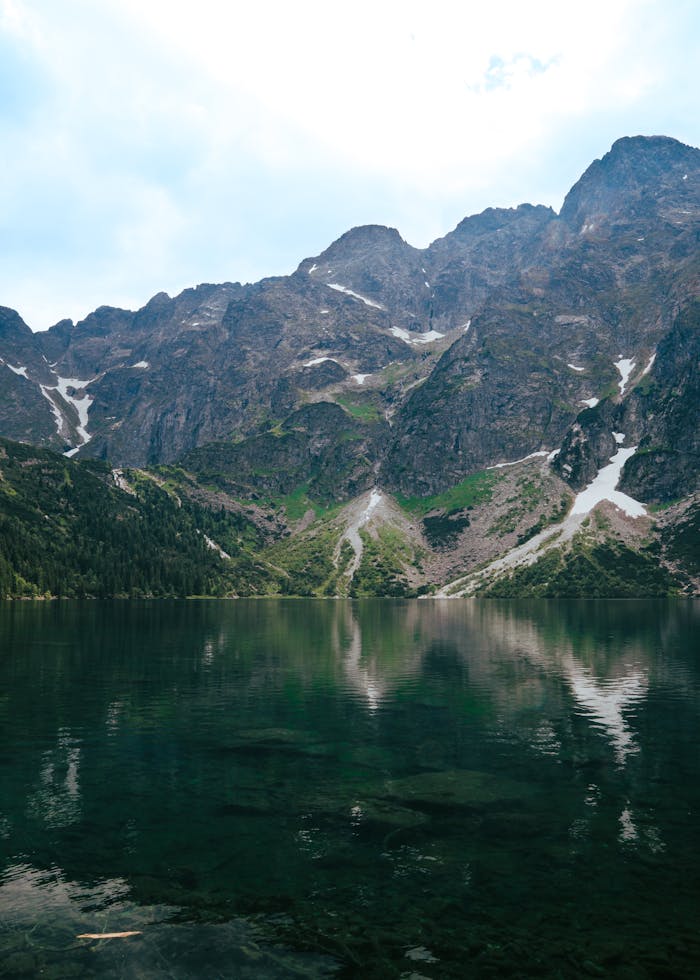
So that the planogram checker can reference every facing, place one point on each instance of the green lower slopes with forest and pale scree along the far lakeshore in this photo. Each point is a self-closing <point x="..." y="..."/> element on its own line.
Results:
<point x="79" y="529"/>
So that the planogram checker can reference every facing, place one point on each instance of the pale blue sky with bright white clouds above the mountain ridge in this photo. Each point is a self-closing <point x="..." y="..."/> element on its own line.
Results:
<point x="150" y="145"/>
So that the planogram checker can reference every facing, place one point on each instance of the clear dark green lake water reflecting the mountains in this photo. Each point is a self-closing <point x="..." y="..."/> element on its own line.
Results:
<point x="362" y="789"/>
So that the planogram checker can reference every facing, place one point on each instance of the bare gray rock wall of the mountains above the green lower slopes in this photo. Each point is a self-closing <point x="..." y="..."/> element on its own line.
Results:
<point x="376" y="361"/>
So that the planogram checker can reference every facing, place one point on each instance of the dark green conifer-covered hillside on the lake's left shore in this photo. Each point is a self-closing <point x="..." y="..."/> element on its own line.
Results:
<point x="66" y="529"/>
